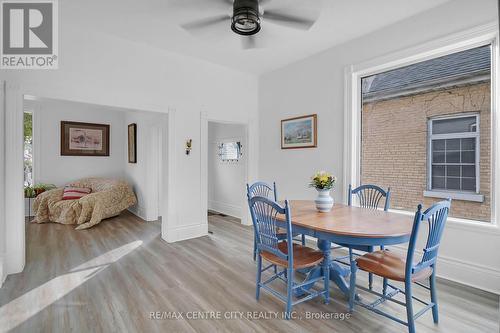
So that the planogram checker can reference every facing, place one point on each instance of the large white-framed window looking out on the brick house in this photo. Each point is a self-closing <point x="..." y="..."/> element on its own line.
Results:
<point x="424" y="129"/>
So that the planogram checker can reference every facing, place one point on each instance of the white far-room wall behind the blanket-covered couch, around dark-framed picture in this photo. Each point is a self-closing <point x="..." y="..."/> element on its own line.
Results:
<point x="49" y="166"/>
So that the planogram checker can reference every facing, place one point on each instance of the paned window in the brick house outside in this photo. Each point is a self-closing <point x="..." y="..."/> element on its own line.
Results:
<point x="454" y="153"/>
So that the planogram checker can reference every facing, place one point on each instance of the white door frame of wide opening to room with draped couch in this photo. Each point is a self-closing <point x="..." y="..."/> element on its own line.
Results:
<point x="14" y="257"/>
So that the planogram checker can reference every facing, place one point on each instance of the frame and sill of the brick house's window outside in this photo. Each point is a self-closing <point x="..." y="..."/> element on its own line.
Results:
<point x="462" y="194"/>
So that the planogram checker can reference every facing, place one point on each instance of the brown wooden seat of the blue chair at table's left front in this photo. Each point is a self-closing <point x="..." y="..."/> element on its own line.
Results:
<point x="303" y="256"/>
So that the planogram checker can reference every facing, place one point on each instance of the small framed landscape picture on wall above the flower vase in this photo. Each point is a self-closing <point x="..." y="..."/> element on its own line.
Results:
<point x="299" y="132"/>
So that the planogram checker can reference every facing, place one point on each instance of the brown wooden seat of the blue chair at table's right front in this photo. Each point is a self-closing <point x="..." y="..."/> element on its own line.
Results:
<point x="389" y="265"/>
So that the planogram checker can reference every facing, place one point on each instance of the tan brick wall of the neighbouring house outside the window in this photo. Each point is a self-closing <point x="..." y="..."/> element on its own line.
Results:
<point x="394" y="145"/>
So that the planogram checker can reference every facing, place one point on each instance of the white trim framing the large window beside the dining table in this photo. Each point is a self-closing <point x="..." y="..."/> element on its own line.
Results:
<point x="475" y="37"/>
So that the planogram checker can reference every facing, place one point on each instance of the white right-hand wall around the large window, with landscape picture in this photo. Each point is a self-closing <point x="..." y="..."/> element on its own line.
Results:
<point x="316" y="85"/>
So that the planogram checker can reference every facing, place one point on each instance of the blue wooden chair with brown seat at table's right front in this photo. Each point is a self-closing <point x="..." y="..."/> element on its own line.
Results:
<point x="396" y="267"/>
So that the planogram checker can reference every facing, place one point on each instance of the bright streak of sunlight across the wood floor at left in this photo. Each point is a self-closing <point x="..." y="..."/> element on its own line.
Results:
<point x="22" y="308"/>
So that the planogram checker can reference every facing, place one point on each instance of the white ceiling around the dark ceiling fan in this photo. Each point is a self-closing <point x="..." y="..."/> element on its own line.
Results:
<point x="157" y="23"/>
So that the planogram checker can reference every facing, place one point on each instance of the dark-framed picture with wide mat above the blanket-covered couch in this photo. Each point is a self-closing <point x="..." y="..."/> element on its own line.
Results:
<point x="84" y="139"/>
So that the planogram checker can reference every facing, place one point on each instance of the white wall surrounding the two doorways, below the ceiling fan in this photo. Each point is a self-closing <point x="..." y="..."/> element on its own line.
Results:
<point x="101" y="69"/>
